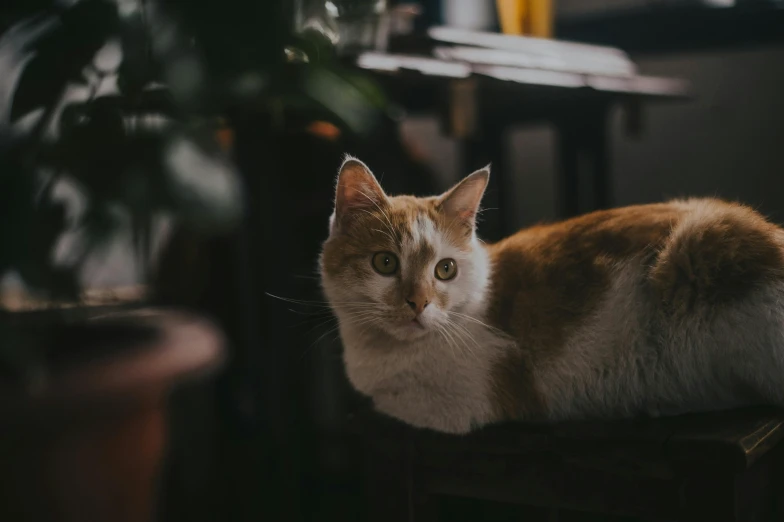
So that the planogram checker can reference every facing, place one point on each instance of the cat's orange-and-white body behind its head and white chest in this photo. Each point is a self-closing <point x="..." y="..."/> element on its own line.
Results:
<point x="604" y="306"/>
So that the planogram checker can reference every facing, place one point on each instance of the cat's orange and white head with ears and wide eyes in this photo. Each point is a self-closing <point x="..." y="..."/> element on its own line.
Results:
<point x="402" y="265"/>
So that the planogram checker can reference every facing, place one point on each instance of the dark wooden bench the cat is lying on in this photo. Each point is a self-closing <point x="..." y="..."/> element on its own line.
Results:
<point x="715" y="467"/>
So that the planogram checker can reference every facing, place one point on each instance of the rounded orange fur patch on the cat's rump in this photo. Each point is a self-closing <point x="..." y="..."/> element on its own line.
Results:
<point x="717" y="252"/>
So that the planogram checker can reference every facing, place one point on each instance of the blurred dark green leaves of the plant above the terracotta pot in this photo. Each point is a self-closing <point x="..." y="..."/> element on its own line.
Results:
<point x="155" y="78"/>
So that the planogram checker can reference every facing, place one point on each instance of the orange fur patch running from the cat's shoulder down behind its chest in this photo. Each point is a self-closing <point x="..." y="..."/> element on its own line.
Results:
<point x="548" y="278"/>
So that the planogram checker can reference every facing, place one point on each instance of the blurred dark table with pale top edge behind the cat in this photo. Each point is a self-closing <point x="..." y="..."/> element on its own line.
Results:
<point x="478" y="104"/>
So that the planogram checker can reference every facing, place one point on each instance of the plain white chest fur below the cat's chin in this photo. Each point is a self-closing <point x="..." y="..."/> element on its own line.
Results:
<point x="441" y="381"/>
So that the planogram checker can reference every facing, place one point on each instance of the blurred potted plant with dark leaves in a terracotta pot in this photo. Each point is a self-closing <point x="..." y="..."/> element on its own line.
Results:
<point x="109" y="114"/>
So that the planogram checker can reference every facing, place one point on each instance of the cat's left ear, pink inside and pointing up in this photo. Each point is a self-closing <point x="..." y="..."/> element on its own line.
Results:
<point x="357" y="190"/>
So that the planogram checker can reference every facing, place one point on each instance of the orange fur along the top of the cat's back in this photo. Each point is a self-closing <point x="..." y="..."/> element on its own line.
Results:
<point x="556" y="273"/>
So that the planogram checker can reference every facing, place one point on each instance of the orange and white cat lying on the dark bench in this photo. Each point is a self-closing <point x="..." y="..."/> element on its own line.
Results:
<point x="644" y="310"/>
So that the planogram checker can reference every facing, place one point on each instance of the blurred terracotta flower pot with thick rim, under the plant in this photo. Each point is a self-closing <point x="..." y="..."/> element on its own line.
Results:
<point x="87" y="445"/>
